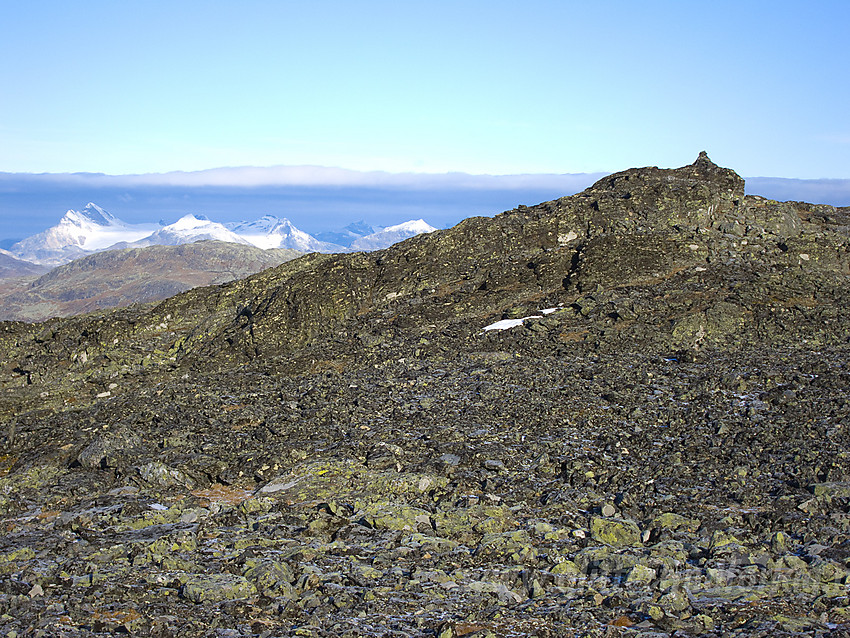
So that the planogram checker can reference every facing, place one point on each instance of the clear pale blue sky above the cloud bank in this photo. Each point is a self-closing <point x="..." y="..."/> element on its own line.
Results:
<point x="473" y="86"/>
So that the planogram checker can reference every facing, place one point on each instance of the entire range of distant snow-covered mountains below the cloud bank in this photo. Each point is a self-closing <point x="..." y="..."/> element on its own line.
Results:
<point x="80" y="233"/>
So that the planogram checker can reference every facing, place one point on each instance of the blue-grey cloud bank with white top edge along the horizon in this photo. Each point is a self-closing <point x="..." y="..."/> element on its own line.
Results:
<point x="316" y="198"/>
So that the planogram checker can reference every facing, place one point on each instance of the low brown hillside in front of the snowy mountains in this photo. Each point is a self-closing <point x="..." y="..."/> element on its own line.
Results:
<point x="136" y="275"/>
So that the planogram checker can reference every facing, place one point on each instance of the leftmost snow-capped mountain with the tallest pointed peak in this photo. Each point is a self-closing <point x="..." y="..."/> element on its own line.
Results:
<point x="77" y="234"/>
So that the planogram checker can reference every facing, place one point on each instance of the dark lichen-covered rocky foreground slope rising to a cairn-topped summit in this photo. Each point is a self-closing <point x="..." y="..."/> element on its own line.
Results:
<point x="620" y="413"/>
